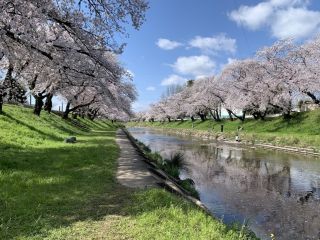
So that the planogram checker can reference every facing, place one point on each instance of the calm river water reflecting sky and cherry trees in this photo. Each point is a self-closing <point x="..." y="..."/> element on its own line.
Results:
<point x="267" y="188"/>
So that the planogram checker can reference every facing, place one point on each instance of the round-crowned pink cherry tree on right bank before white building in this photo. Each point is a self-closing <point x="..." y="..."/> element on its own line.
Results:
<point x="243" y="86"/>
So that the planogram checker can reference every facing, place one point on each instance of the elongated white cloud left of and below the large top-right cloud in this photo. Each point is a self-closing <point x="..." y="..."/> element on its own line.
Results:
<point x="214" y="44"/>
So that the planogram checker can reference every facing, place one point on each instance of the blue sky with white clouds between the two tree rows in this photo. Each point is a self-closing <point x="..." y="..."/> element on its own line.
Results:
<point x="187" y="39"/>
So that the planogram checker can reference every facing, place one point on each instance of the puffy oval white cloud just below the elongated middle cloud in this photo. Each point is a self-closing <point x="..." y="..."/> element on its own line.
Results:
<point x="195" y="66"/>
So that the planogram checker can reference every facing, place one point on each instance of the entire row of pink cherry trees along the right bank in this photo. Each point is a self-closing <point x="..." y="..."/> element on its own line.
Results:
<point x="271" y="82"/>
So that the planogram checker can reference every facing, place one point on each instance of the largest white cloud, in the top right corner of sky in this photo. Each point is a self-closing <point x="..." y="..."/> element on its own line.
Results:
<point x="284" y="18"/>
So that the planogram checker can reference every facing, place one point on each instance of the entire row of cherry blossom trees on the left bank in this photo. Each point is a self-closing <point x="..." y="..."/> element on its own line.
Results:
<point x="69" y="49"/>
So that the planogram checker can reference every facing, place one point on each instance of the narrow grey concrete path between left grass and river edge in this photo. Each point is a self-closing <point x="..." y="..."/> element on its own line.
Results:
<point x="132" y="170"/>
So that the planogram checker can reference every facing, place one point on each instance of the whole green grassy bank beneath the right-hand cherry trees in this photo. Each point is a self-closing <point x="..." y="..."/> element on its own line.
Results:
<point x="303" y="130"/>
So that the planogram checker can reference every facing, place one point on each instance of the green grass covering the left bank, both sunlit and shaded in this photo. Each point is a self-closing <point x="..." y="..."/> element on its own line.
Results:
<point x="54" y="190"/>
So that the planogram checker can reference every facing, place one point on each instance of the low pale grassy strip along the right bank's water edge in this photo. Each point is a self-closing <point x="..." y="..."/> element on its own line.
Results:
<point x="277" y="141"/>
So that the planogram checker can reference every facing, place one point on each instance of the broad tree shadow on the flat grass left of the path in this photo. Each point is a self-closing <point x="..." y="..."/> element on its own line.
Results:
<point x="52" y="188"/>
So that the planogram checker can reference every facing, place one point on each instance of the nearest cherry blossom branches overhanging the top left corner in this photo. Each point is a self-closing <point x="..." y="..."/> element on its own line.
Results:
<point x="91" y="25"/>
